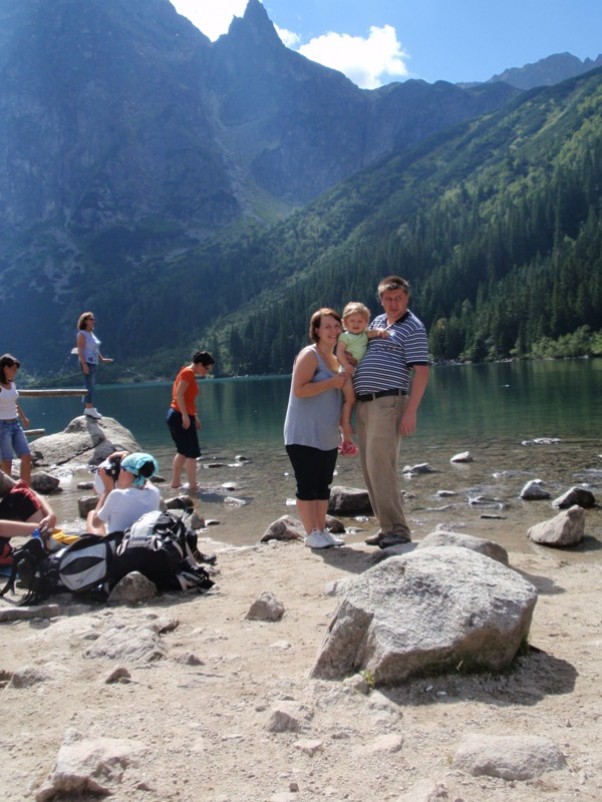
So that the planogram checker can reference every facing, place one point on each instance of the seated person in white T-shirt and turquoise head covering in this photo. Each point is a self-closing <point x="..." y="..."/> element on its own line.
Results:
<point x="125" y="499"/>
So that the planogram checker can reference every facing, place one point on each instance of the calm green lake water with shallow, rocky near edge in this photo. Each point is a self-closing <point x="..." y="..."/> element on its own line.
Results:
<point x="494" y="411"/>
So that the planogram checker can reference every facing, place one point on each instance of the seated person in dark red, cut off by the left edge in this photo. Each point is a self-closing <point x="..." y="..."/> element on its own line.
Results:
<point x="22" y="511"/>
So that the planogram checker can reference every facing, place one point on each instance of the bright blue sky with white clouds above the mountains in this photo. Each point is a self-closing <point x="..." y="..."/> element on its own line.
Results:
<point x="375" y="42"/>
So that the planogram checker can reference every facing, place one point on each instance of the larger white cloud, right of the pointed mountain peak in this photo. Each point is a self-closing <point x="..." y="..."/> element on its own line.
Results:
<point x="368" y="62"/>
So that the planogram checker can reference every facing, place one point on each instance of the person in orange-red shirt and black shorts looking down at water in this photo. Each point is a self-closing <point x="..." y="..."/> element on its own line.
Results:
<point x="183" y="420"/>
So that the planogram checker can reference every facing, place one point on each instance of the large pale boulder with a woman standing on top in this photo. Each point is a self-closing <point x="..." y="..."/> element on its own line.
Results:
<point x="84" y="440"/>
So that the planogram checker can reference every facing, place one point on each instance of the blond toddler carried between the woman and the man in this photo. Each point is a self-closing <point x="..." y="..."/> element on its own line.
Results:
<point x="353" y="341"/>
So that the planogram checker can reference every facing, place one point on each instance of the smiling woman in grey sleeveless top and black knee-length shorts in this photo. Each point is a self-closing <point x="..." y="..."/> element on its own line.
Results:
<point x="311" y="427"/>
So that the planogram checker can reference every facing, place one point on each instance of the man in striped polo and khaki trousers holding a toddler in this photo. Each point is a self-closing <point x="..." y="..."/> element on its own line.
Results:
<point x="389" y="383"/>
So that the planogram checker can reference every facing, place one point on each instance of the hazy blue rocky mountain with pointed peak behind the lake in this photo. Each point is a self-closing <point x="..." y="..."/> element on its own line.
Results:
<point x="127" y="138"/>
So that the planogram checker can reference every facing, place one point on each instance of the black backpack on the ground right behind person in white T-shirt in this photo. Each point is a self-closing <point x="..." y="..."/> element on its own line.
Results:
<point x="162" y="547"/>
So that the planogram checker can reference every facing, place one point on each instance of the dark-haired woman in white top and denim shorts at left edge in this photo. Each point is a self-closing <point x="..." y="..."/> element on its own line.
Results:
<point x="12" y="436"/>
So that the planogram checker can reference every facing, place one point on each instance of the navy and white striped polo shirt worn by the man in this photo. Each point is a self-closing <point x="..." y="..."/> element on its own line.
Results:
<point x="388" y="361"/>
